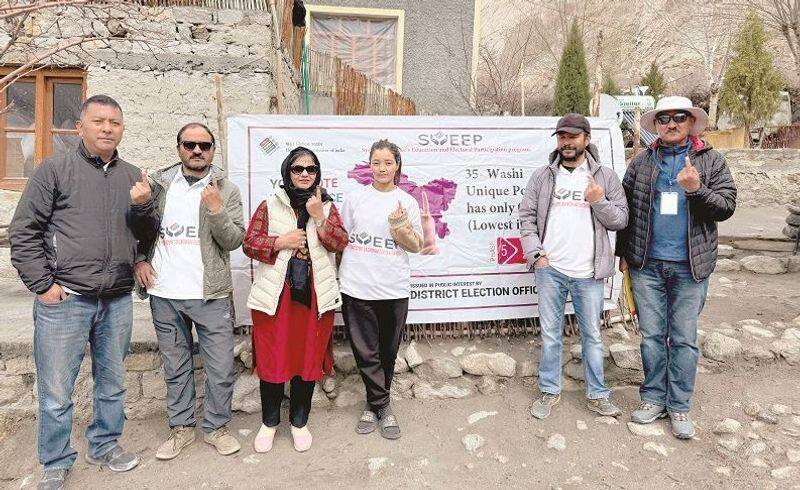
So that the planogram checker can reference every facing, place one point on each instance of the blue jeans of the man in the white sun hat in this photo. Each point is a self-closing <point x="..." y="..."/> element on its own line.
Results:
<point x="669" y="301"/>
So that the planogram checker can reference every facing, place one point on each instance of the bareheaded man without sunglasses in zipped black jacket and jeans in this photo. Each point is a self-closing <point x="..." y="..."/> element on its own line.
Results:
<point x="73" y="241"/>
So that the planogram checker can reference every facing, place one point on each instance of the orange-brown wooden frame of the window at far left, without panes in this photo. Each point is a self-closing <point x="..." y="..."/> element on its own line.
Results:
<point x="44" y="80"/>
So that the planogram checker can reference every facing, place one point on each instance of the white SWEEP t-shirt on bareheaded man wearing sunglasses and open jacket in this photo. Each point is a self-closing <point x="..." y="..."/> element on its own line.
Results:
<point x="177" y="259"/>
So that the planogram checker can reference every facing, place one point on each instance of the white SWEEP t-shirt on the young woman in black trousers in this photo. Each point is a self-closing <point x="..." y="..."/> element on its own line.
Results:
<point x="373" y="266"/>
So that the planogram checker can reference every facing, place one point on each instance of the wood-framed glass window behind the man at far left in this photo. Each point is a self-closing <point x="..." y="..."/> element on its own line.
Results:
<point x="37" y="119"/>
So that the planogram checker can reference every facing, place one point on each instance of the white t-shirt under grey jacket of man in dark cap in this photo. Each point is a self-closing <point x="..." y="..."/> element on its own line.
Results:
<point x="569" y="240"/>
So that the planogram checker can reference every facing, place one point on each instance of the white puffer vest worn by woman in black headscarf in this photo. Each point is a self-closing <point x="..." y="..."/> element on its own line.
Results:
<point x="270" y="279"/>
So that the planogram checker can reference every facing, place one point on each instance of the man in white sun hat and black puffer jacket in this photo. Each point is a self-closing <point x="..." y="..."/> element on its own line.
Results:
<point x="677" y="190"/>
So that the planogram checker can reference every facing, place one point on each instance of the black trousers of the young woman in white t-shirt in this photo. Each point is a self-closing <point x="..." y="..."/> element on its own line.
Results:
<point x="375" y="328"/>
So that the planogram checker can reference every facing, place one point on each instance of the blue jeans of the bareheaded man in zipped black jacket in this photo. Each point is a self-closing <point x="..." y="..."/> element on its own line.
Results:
<point x="61" y="332"/>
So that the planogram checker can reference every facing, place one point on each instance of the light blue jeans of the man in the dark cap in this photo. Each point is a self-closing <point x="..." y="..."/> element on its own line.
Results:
<point x="587" y="298"/>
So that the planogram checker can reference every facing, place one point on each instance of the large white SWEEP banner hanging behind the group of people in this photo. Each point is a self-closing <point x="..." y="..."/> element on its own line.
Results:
<point x="467" y="174"/>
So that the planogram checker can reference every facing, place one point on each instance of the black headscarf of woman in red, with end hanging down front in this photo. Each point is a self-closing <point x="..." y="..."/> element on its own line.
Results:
<point x="298" y="271"/>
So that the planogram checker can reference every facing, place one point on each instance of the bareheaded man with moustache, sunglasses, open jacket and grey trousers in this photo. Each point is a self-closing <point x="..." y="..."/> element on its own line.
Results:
<point x="187" y="275"/>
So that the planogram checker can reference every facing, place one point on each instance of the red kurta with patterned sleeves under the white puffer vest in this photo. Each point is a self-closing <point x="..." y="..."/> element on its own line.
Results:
<point x="294" y="342"/>
